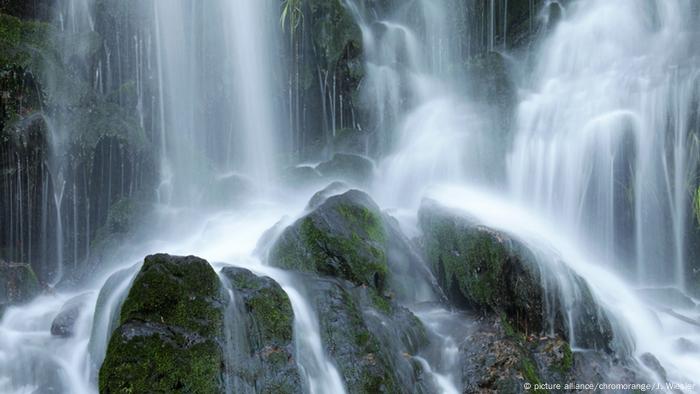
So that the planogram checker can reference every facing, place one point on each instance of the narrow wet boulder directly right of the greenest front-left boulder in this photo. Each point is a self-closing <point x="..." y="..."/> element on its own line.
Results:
<point x="260" y="347"/>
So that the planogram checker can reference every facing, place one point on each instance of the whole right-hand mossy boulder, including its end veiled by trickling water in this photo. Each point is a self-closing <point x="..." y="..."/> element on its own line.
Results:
<point x="492" y="271"/>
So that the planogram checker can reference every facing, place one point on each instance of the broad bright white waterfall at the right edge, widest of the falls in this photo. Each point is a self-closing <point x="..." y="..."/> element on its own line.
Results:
<point x="604" y="138"/>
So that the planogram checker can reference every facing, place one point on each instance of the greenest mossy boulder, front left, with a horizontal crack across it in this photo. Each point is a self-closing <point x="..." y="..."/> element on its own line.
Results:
<point x="169" y="337"/>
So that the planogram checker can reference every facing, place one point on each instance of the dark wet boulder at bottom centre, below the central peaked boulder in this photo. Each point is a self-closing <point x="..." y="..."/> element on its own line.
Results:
<point x="371" y="340"/>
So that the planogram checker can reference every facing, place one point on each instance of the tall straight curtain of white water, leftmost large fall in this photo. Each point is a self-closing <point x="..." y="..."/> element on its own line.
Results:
<point x="215" y="92"/>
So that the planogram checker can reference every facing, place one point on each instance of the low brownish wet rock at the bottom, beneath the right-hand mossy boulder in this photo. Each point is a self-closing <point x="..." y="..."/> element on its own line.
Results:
<point x="497" y="358"/>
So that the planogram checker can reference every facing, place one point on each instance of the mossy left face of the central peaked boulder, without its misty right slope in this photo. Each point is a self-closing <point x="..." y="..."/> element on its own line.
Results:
<point x="344" y="237"/>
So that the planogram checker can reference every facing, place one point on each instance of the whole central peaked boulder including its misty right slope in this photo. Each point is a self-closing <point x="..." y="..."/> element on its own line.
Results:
<point x="348" y="237"/>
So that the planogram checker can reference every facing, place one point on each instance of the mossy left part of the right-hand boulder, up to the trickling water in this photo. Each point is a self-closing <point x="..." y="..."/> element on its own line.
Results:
<point x="482" y="268"/>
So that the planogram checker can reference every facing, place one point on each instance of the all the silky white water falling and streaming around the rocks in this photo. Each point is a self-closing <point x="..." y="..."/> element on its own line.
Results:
<point x="603" y="123"/>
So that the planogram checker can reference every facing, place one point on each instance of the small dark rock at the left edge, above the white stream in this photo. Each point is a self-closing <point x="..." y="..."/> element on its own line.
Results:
<point x="18" y="283"/>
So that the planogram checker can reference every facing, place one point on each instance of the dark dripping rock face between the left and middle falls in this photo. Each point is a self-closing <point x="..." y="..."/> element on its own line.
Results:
<point x="325" y="52"/>
